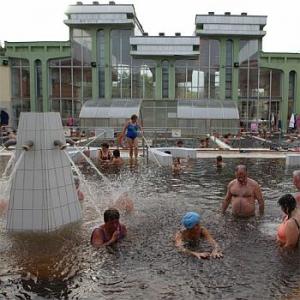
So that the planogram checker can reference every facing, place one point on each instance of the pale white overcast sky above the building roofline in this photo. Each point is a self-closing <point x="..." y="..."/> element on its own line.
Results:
<point x="42" y="20"/>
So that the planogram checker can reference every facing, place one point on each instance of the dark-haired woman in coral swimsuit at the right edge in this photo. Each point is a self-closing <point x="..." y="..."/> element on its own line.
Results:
<point x="288" y="231"/>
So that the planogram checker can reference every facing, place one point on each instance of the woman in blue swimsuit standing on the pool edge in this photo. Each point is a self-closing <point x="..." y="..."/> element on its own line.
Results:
<point x="130" y="130"/>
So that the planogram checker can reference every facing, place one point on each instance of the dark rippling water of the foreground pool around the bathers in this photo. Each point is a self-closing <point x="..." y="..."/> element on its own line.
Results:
<point x="146" y="264"/>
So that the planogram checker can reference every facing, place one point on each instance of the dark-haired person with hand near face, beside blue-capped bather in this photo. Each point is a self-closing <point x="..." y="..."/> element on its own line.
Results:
<point x="110" y="232"/>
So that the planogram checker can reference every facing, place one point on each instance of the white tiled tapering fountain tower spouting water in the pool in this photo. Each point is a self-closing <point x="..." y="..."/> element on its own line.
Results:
<point x="42" y="195"/>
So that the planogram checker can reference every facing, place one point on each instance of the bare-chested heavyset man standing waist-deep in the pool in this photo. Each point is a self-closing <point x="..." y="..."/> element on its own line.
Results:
<point x="242" y="193"/>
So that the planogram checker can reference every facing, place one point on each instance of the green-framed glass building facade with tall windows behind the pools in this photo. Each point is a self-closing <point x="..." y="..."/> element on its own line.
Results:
<point x="99" y="63"/>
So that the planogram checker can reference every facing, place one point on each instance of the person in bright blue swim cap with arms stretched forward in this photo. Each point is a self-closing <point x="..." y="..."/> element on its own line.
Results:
<point x="192" y="233"/>
